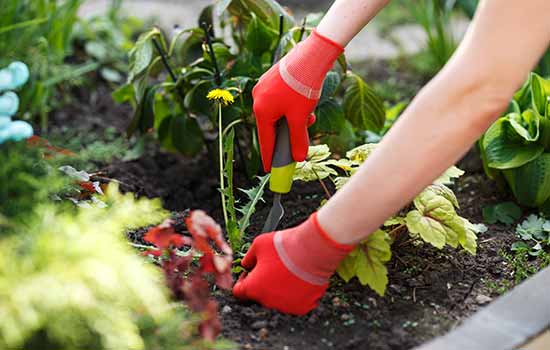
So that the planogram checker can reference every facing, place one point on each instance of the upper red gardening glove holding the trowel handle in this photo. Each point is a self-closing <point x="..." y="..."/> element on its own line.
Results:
<point x="292" y="88"/>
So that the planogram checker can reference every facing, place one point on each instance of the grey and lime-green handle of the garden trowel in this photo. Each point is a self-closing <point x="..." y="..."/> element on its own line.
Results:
<point x="283" y="165"/>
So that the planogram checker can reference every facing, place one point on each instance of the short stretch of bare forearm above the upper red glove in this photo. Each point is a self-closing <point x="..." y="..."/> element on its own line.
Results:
<point x="346" y="18"/>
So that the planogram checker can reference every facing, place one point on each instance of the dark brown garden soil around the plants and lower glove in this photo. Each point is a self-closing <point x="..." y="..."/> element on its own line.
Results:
<point x="430" y="291"/>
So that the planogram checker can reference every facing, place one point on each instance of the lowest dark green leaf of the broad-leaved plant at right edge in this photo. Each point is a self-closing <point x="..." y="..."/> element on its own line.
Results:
<point x="530" y="183"/>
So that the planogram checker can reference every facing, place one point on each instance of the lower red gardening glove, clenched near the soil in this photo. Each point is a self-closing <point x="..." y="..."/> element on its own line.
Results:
<point x="289" y="270"/>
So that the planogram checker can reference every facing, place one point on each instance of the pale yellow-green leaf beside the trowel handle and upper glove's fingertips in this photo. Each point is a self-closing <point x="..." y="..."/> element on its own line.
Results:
<point x="315" y="167"/>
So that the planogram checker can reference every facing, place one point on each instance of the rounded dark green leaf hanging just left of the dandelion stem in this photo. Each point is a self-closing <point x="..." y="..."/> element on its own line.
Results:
<point x="186" y="135"/>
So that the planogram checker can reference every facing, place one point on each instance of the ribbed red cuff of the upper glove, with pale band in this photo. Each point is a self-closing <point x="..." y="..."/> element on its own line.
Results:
<point x="304" y="68"/>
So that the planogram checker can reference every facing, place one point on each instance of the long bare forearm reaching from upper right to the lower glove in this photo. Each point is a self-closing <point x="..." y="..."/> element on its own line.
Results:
<point x="445" y="119"/>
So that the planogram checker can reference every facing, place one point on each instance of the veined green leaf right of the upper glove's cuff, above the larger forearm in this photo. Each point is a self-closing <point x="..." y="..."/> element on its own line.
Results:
<point x="363" y="108"/>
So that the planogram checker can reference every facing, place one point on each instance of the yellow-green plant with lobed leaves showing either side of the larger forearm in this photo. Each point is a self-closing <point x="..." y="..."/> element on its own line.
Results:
<point x="431" y="218"/>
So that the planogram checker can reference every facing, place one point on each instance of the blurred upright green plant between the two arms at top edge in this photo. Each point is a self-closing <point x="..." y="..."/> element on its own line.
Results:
<point x="434" y="16"/>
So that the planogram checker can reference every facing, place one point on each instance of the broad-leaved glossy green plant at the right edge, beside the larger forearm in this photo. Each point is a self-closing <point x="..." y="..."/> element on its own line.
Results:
<point x="514" y="149"/>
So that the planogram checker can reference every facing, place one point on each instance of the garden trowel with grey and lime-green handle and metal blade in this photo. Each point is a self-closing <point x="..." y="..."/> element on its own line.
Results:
<point x="282" y="172"/>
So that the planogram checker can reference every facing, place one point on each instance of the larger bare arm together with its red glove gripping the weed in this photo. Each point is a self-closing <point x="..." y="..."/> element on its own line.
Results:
<point x="502" y="45"/>
